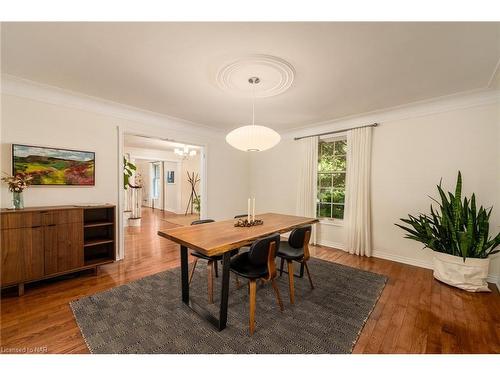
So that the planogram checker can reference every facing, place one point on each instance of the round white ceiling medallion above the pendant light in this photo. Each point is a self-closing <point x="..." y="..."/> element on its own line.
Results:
<point x="276" y="76"/>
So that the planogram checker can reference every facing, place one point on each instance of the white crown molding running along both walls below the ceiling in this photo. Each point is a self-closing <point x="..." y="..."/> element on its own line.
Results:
<point x="20" y="87"/>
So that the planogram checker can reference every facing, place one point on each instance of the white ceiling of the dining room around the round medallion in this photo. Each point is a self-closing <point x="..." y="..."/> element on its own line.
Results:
<point x="341" y="69"/>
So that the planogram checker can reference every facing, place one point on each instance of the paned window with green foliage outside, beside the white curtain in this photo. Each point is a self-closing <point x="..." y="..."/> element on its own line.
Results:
<point x="331" y="178"/>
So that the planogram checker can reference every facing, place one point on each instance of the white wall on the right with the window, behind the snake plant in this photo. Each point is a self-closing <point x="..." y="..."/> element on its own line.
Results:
<point x="410" y="155"/>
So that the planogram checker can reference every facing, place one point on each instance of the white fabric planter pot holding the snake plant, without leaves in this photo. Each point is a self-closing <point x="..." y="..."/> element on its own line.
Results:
<point x="469" y="275"/>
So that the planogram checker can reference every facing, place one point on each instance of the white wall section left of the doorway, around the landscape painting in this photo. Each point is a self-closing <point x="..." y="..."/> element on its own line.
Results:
<point x="34" y="123"/>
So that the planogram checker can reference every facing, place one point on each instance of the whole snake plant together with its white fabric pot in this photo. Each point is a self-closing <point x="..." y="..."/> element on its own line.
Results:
<point x="458" y="233"/>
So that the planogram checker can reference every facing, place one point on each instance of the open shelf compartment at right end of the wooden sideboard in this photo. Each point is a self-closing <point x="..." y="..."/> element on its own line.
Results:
<point x="99" y="243"/>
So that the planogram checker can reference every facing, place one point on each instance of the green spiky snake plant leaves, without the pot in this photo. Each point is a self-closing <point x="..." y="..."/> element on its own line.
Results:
<point x="457" y="228"/>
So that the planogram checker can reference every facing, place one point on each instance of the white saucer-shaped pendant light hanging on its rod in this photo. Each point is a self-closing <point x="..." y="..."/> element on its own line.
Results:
<point x="253" y="137"/>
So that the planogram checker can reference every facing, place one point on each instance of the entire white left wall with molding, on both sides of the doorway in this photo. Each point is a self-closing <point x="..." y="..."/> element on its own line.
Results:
<point x="40" y="115"/>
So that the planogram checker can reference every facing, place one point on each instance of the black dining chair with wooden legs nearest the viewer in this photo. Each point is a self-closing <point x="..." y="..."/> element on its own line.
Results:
<point x="258" y="263"/>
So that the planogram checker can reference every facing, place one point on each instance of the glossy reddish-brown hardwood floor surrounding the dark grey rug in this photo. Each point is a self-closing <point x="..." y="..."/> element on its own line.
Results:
<point x="415" y="313"/>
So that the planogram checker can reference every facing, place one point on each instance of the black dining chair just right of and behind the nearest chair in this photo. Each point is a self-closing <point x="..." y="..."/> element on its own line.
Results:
<point x="296" y="249"/>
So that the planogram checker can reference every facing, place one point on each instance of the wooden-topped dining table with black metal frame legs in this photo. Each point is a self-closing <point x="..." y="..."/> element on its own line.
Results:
<point x="220" y="238"/>
